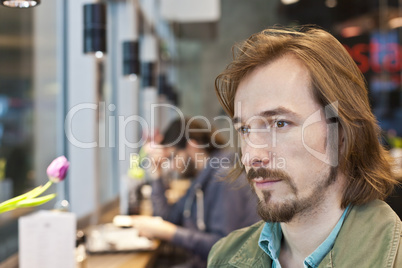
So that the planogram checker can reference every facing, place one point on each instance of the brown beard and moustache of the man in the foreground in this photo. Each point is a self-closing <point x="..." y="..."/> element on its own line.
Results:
<point x="285" y="212"/>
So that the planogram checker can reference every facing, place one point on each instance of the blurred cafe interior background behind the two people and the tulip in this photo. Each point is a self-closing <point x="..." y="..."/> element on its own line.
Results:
<point x="91" y="80"/>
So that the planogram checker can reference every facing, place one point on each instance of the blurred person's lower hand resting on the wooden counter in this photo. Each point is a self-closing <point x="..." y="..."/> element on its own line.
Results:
<point x="154" y="227"/>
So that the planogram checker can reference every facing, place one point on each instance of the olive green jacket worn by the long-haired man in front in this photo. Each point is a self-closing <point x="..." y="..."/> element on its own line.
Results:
<point x="370" y="237"/>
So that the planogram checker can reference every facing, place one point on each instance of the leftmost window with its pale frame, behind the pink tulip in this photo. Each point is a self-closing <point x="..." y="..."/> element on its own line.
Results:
<point x="29" y="106"/>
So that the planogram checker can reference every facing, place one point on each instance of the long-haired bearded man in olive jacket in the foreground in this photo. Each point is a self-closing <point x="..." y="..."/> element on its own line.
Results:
<point x="310" y="146"/>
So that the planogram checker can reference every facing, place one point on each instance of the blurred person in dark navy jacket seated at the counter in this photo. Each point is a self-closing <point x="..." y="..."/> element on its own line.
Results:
<point x="211" y="208"/>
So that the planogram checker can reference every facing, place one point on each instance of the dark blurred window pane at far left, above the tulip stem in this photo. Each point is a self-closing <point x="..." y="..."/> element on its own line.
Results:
<point x="16" y="124"/>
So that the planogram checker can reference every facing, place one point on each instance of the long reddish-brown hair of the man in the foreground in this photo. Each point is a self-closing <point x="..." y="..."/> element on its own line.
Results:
<point x="334" y="78"/>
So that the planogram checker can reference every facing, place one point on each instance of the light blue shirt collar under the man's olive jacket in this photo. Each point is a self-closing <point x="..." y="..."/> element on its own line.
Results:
<point x="271" y="236"/>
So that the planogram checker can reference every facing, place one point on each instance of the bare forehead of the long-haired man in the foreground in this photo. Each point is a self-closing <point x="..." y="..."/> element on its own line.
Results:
<point x="281" y="87"/>
